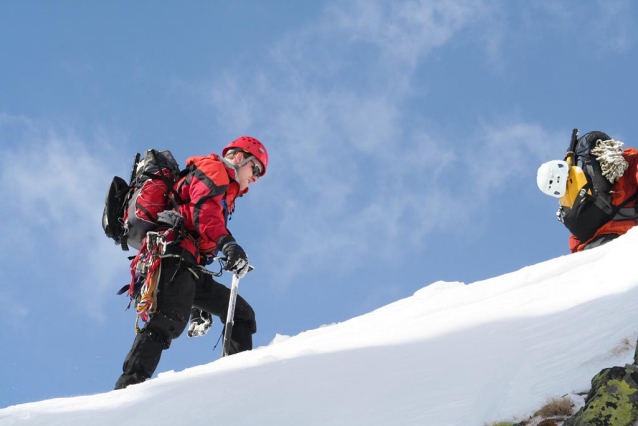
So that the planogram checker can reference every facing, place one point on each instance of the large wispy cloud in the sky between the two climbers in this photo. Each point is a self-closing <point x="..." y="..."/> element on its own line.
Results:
<point x="352" y="164"/>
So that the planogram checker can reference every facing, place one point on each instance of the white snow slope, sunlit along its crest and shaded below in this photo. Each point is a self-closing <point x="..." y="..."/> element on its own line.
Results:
<point x="452" y="354"/>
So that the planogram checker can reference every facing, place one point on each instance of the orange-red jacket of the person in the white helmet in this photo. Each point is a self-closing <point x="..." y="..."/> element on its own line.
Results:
<point x="625" y="187"/>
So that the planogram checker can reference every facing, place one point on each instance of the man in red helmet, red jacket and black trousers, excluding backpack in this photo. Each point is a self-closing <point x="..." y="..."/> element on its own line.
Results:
<point x="209" y="191"/>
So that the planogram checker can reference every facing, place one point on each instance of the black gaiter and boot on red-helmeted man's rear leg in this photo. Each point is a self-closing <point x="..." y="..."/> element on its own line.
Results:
<point x="142" y="360"/>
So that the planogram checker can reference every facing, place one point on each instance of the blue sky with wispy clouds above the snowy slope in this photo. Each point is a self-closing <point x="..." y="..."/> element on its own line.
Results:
<point x="404" y="139"/>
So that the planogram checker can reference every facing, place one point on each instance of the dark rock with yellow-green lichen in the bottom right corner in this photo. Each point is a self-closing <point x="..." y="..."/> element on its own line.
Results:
<point x="612" y="400"/>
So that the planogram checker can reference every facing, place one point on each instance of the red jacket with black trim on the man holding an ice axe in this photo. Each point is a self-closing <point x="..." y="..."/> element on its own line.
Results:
<point x="209" y="192"/>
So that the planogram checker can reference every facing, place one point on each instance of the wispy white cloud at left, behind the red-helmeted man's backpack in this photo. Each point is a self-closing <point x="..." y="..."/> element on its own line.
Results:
<point x="56" y="181"/>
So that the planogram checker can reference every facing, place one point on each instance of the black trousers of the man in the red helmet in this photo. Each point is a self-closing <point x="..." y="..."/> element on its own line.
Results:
<point x="178" y="291"/>
